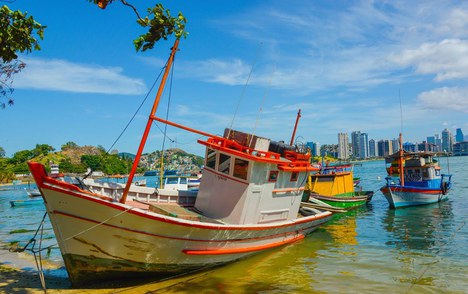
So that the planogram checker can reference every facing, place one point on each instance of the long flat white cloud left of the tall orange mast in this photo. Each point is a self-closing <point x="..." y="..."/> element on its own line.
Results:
<point x="62" y="75"/>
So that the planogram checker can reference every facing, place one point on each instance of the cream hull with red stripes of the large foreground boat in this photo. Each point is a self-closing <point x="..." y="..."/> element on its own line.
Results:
<point x="100" y="239"/>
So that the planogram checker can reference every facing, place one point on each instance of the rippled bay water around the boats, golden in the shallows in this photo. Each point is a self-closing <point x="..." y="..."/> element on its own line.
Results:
<point x="372" y="249"/>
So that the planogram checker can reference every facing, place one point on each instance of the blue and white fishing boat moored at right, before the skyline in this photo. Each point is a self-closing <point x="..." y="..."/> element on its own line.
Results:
<point x="421" y="181"/>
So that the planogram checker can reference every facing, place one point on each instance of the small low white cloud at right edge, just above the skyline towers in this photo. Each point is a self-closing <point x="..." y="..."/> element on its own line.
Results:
<point x="445" y="99"/>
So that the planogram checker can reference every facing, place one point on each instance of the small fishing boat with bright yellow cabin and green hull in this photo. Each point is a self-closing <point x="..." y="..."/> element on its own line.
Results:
<point x="334" y="185"/>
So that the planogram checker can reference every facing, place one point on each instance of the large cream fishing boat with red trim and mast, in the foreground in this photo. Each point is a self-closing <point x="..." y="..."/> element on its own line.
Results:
<point x="249" y="201"/>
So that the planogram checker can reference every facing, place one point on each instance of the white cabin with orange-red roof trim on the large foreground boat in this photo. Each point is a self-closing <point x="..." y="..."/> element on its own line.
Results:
<point x="245" y="182"/>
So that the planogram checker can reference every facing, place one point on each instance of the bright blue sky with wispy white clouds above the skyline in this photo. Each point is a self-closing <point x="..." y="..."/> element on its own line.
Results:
<point x="250" y="65"/>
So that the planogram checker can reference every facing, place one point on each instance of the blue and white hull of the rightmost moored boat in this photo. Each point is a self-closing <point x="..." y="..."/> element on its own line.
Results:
<point x="400" y="196"/>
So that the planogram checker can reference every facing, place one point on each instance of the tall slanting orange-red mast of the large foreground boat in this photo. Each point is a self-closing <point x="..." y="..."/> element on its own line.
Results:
<point x="149" y="123"/>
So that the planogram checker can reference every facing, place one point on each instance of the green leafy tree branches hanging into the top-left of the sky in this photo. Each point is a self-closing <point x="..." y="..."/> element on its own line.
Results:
<point x="20" y="32"/>
